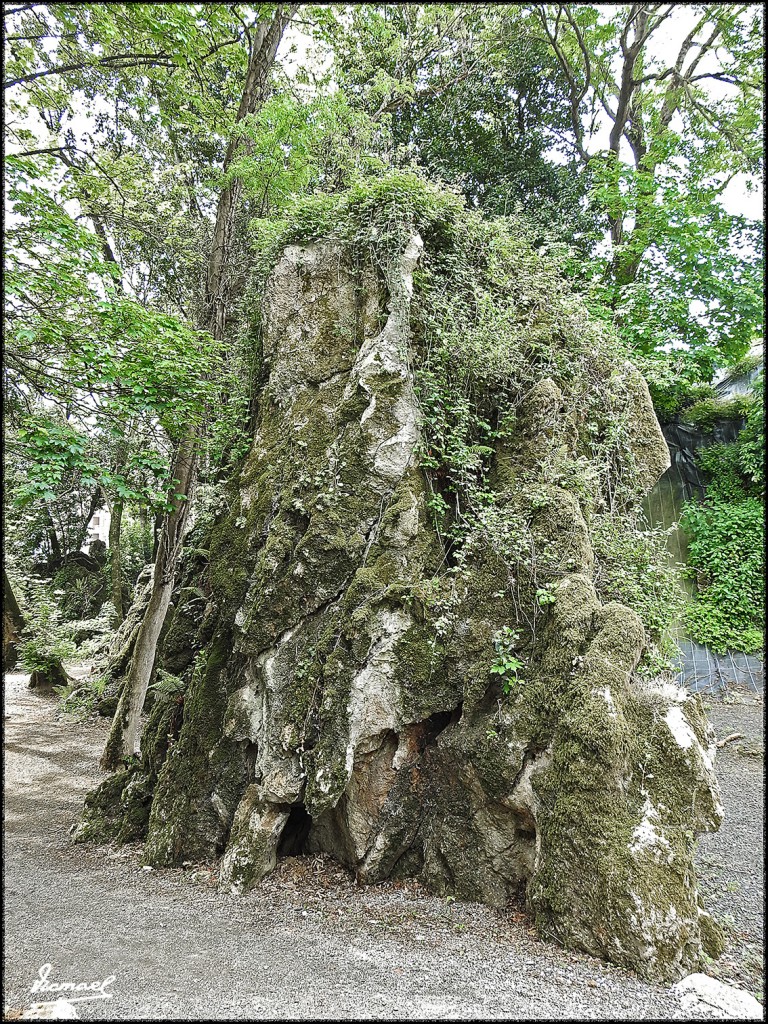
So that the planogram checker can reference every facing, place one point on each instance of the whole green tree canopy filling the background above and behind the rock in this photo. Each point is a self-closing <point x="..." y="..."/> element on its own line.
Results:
<point x="156" y="153"/>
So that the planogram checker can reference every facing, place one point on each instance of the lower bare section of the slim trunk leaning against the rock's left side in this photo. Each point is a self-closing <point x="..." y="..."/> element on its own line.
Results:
<point x="125" y="735"/>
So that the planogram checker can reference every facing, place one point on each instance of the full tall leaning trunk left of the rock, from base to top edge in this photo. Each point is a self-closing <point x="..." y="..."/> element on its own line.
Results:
<point x="124" y="740"/>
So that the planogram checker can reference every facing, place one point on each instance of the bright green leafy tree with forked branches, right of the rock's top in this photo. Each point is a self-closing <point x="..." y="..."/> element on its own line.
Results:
<point x="661" y="135"/>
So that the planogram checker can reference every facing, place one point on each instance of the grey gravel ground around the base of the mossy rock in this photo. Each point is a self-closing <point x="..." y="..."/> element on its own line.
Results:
<point x="309" y="944"/>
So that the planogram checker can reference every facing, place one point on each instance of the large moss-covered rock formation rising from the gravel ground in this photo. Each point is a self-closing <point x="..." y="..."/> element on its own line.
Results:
<point x="338" y="654"/>
